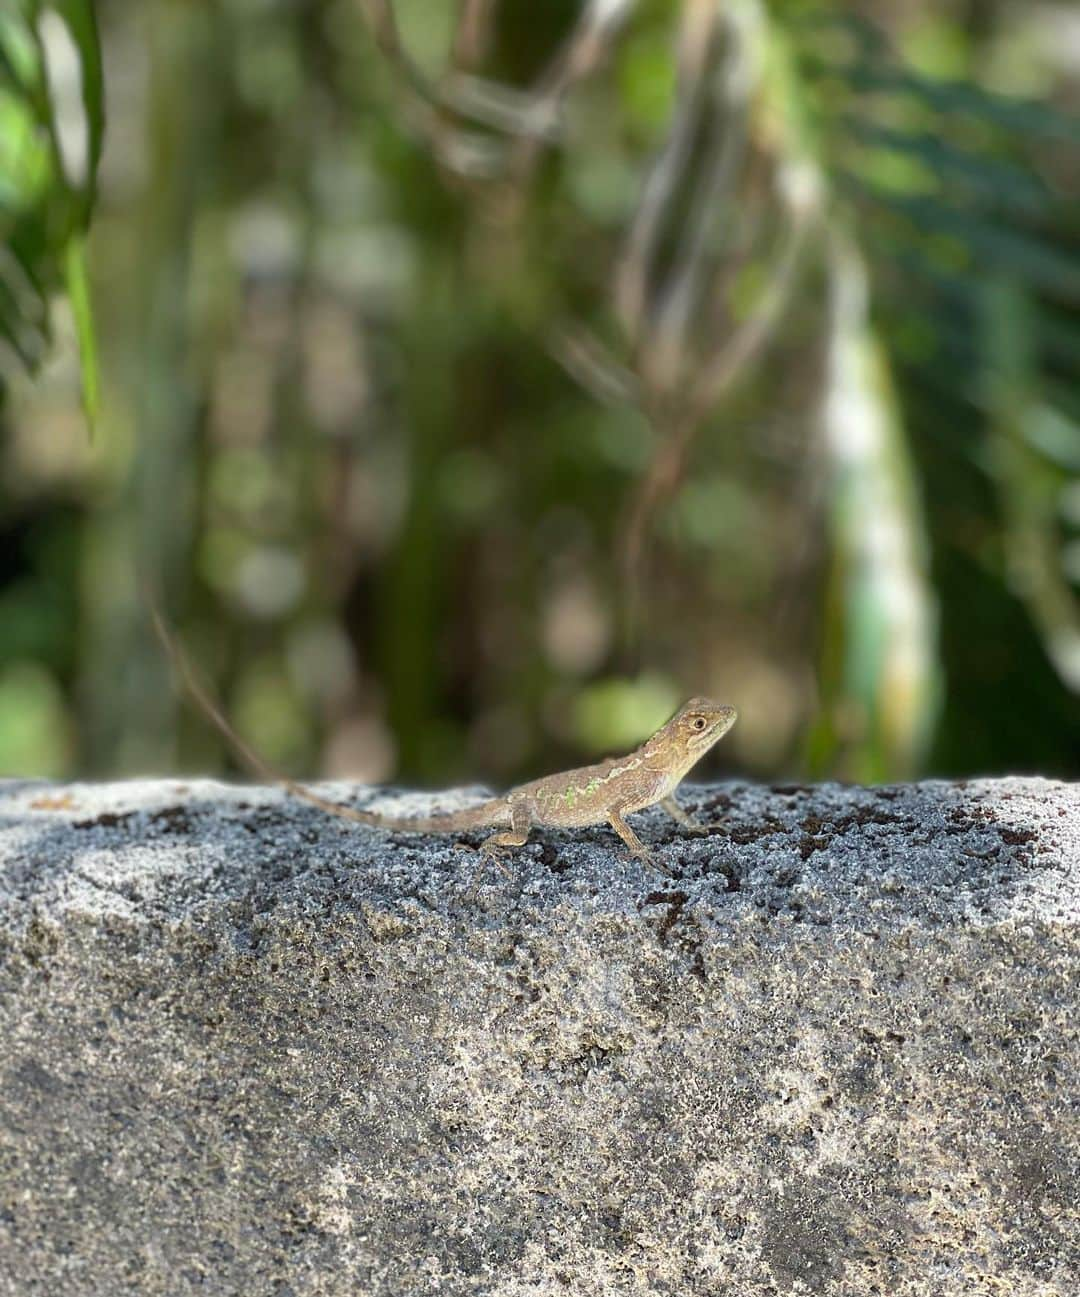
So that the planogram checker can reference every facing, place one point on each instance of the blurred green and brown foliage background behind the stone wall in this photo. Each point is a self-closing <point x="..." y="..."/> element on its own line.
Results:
<point x="475" y="379"/>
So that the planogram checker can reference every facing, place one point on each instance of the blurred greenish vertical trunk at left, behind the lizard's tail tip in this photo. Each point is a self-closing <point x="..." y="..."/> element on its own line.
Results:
<point x="130" y="708"/>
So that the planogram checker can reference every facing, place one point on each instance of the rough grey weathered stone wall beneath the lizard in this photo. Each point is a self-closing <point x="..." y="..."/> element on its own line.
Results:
<point x="250" y="1050"/>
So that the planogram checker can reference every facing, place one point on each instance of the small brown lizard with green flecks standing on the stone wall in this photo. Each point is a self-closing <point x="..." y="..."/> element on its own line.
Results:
<point x="605" y="793"/>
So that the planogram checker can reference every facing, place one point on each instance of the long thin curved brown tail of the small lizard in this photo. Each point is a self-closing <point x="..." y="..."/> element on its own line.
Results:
<point x="452" y="822"/>
